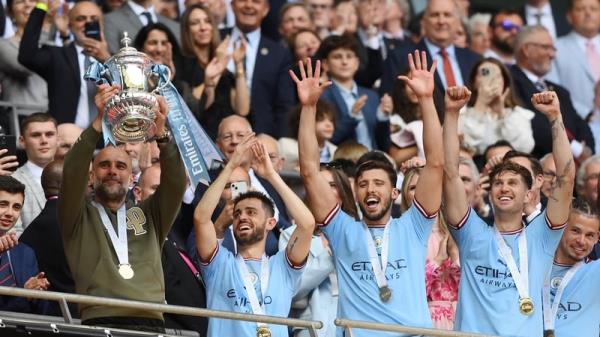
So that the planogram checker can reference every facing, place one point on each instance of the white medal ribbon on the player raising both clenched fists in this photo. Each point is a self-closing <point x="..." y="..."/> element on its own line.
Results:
<point x="520" y="275"/>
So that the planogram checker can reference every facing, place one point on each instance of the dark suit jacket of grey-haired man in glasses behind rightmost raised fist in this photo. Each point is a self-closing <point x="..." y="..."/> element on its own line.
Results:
<point x="576" y="127"/>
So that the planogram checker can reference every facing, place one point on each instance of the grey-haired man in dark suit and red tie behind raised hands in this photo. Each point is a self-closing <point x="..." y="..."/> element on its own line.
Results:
<point x="454" y="64"/>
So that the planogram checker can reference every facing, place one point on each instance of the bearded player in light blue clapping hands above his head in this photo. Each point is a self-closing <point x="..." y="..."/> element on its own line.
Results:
<point x="249" y="282"/>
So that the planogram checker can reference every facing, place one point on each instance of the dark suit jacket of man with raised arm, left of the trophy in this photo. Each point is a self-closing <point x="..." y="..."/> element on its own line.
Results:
<point x="57" y="65"/>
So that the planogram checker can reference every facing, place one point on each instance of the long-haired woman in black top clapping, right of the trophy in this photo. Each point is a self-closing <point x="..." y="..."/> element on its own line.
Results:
<point x="211" y="91"/>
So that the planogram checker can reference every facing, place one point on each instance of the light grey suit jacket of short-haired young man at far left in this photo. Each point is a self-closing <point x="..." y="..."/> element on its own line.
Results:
<point x="35" y="200"/>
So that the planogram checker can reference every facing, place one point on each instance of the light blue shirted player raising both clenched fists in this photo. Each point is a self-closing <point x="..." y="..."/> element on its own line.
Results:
<point x="504" y="265"/>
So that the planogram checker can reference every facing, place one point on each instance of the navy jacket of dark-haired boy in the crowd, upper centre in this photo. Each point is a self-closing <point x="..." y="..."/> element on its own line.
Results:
<point x="345" y="125"/>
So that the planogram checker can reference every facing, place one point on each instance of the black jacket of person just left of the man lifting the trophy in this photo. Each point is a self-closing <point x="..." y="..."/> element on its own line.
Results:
<point x="43" y="236"/>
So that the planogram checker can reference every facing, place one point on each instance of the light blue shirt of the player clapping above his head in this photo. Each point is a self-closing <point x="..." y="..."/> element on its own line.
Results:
<point x="225" y="291"/>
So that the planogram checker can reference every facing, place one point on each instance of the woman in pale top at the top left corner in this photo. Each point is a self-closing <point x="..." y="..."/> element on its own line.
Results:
<point x="19" y="84"/>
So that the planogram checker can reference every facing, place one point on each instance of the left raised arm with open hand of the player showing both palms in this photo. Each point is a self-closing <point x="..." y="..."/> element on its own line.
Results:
<point x="321" y="200"/>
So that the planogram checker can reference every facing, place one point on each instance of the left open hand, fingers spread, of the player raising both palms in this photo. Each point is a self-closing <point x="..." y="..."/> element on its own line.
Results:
<point x="308" y="87"/>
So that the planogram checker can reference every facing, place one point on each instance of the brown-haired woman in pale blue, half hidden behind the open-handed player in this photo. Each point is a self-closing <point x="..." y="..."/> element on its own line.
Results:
<point x="317" y="294"/>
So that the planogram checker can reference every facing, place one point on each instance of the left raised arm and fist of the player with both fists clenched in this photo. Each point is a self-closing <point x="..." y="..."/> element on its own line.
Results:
<point x="455" y="198"/>
